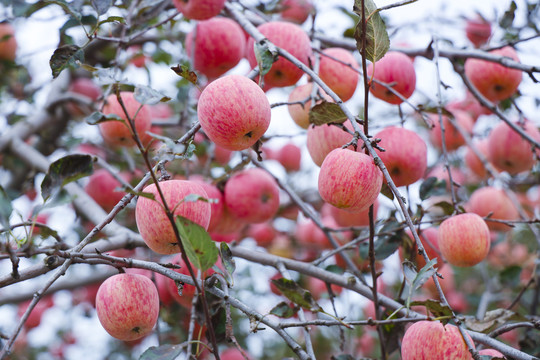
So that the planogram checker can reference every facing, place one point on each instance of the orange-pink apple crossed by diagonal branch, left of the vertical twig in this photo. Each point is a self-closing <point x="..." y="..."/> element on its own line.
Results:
<point x="342" y="79"/>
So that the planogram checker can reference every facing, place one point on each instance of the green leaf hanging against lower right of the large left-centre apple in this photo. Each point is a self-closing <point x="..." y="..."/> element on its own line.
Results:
<point x="200" y="249"/>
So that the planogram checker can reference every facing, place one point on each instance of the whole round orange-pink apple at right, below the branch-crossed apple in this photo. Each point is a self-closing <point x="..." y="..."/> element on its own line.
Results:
<point x="464" y="239"/>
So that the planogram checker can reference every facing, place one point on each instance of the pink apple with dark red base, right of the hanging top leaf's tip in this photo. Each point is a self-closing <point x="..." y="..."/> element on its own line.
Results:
<point x="394" y="68"/>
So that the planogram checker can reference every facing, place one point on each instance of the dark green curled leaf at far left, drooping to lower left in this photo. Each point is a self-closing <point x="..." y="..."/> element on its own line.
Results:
<point x="65" y="170"/>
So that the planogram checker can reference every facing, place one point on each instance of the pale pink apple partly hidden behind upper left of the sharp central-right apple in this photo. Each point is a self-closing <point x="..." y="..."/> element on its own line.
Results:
<point x="321" y="140"/>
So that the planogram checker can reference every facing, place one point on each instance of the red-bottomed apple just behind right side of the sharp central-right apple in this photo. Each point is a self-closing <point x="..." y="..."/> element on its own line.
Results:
<point x="405" y="156"/>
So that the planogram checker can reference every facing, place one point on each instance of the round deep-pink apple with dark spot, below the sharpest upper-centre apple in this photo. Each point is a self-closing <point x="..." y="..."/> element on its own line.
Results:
<point x="252" y="195"/>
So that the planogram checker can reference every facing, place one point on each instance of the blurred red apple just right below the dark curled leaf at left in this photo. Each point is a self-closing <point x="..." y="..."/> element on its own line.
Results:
<point x="104" y="189"/>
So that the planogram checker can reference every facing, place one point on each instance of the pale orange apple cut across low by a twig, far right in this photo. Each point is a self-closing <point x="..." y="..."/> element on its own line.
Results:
<point x="489" y="200"/>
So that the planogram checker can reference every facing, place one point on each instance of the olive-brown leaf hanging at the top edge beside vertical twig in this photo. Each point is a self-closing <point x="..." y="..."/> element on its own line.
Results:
<point x="377" y="40"/>
